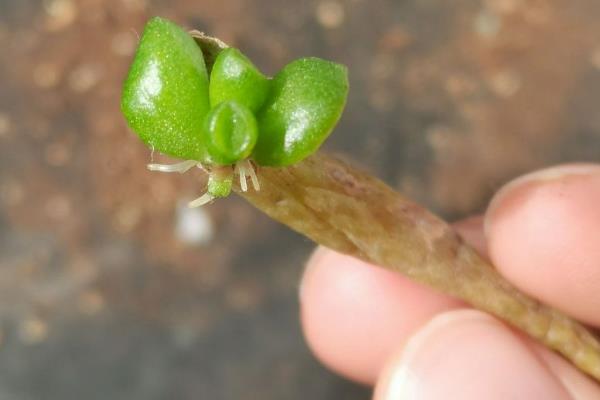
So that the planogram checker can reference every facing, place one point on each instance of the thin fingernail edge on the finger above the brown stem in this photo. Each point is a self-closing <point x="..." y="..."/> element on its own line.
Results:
<point x="542" y="176"/>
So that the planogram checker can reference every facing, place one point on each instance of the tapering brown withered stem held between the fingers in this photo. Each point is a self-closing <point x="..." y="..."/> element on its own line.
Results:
<point x="351" y="212"/>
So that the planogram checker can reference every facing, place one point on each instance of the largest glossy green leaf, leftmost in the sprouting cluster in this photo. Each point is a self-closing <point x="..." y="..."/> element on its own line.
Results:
<point x="165" y="95"/>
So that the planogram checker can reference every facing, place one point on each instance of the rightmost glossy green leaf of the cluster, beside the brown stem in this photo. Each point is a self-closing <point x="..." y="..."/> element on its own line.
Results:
<point x="306" y="100"/>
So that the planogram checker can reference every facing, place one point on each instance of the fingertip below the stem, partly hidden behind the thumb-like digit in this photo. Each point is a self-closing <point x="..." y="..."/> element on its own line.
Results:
<point x="355" y="315"/>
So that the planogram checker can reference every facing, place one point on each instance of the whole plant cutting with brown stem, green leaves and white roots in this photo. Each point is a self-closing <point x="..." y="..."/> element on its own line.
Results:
<point x="192" y="97"/>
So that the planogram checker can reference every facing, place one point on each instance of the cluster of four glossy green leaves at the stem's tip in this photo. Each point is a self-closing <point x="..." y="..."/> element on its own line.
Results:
<point x="170" y="102"/>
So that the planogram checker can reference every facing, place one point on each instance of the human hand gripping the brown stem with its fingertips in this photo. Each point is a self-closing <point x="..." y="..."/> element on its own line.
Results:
<point x="542" y="232"/>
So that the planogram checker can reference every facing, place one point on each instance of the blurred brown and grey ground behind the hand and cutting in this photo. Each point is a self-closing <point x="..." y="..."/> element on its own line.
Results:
<point x="111" y="288"/>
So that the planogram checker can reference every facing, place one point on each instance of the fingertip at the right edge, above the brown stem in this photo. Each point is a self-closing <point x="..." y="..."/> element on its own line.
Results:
<point x="543" y="234"/>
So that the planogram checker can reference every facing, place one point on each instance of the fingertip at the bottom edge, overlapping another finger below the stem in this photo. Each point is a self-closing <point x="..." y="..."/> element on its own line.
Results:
<point x="467" y="354"/>
